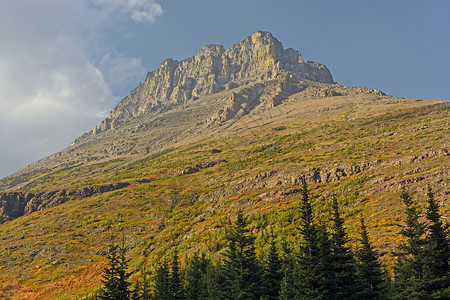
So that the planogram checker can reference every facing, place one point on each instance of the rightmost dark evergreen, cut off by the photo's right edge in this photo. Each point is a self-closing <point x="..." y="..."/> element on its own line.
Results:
<point x="437" y="250"/>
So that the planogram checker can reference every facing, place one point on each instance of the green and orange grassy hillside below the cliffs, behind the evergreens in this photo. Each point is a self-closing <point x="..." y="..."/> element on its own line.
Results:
<point x="364" y="151"/>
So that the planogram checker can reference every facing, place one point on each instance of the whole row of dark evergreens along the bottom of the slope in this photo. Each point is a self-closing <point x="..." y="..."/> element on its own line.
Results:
<point x="323" y="266"/>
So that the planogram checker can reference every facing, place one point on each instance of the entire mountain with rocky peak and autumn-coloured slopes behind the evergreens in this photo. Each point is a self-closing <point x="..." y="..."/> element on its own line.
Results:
<point x="199" y="140"/>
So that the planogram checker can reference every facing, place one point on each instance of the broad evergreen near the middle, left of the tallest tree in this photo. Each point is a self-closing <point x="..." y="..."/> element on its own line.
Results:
<point x="241" y="269"/>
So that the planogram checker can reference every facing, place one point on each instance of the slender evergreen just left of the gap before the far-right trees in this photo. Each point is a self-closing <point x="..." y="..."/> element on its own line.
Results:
<point x="369" y="269"/>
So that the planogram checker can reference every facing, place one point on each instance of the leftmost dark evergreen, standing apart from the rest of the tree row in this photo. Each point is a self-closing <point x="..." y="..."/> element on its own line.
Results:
<point x="115" y="277"/>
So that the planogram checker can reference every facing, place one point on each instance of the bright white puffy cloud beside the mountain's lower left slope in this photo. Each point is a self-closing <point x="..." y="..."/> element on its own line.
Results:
<point x="50" y="94"/>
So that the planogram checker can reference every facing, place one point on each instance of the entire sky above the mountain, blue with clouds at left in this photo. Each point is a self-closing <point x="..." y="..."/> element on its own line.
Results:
<point x="65" y="64"/>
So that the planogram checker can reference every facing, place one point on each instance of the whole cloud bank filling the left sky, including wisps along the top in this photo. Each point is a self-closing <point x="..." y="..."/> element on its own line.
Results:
<point x="52" y="86"/>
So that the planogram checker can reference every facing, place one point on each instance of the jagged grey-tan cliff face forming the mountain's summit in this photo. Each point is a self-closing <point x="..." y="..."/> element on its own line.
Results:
<point x="211" y="70"/>
